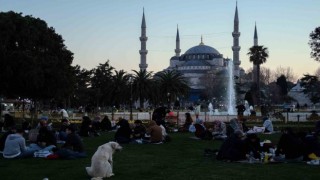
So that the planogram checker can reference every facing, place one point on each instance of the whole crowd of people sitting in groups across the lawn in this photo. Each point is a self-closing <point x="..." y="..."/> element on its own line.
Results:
<point x="239" y="143"/>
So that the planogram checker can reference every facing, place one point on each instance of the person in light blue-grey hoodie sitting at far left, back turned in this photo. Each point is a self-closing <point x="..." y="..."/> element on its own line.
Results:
<point x="15" y="146"/>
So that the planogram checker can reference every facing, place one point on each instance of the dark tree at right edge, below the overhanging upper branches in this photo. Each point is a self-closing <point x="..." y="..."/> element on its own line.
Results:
<point x="312" y="86"/>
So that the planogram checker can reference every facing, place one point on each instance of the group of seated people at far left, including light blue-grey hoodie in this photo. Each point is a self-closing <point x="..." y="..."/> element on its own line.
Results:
<point x="43" y="140"/>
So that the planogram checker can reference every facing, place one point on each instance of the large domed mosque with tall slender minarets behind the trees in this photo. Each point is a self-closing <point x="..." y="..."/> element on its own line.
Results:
<point x="199" y="60"/>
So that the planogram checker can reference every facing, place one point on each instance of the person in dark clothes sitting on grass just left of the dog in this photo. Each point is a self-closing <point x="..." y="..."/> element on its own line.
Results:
<point x="73" y="147"/>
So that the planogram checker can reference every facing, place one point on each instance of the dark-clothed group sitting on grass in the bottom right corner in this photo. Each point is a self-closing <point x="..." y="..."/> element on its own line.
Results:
<point x="291" y="147"/>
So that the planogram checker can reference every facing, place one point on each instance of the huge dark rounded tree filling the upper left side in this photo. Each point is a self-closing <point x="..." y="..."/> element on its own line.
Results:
<point x="34" y="62"/>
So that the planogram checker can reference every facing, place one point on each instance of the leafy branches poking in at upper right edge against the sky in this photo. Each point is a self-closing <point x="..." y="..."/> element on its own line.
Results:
<point x="314" y="43"/>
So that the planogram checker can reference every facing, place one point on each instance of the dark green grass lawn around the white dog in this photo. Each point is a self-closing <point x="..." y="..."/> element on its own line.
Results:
<point x="182" y="158"/>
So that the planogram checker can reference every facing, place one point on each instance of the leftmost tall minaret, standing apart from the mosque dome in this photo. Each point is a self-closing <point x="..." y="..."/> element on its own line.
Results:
<point x="143" y="52"/>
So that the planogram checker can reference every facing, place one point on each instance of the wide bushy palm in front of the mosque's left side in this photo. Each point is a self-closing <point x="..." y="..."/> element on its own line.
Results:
<point x="172" y="84"/>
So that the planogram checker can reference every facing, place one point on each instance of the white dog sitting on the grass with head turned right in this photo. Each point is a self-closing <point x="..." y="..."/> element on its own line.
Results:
<point x="101" y="161"/>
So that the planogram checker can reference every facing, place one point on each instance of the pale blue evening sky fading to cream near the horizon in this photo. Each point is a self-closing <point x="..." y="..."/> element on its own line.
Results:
<point x="100" y="30"/>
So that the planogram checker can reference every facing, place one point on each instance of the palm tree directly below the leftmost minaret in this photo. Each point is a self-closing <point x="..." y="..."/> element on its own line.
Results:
<point x="142" y="82"/>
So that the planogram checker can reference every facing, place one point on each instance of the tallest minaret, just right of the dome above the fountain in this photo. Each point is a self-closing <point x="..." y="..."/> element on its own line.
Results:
<point x="236" y="47"/>
